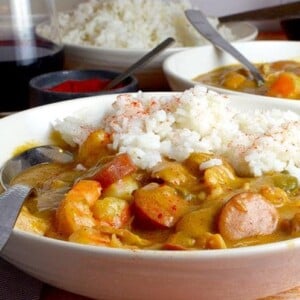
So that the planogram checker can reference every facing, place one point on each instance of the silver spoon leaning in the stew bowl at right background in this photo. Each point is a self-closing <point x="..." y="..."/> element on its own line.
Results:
<point x="200" y="22"/>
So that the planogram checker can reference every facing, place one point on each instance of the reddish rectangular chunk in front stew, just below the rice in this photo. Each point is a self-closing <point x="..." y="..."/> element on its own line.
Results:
<point x="114" y="170"/>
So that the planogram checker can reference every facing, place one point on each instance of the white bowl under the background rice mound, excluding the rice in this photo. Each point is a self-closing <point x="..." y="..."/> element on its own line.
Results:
<point x="151" y="76"/>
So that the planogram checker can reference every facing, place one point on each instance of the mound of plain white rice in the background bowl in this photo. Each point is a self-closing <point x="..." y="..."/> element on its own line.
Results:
<point x="138" y="24"/>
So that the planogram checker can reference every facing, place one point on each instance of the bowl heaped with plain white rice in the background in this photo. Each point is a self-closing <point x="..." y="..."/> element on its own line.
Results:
<point x="114" y="34"/>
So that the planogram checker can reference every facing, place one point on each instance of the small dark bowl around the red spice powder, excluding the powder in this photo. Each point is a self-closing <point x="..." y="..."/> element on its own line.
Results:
<point x="41" y="93"/>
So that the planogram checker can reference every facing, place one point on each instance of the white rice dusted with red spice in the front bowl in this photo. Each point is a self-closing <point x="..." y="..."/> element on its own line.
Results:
<point x="197" y="120"/>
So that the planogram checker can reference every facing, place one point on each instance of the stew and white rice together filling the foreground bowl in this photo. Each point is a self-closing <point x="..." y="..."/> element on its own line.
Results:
<point x="181" y="171"/>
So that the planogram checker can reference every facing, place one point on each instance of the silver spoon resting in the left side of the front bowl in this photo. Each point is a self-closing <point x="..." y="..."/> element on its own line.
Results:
<point x="12" y="199"/>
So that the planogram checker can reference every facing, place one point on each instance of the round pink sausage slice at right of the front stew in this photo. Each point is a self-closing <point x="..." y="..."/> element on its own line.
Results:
<point x="247" y="214"/>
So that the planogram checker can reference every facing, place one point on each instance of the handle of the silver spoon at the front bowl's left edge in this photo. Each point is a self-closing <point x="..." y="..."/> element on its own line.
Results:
<point x="10" y="204"/>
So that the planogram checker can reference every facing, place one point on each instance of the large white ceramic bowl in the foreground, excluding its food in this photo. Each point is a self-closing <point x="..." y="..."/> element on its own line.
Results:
<point x="105" y="273"/>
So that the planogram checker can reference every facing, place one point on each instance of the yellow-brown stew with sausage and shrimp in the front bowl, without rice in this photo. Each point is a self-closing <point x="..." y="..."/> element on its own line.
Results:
<point x="103" y="199"/>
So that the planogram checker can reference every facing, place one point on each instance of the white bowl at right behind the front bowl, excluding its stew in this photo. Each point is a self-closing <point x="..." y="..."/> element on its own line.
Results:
<point x="181" y="68"/>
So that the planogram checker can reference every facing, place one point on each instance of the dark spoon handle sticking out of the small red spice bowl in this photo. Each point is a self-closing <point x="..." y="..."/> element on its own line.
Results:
<point x="141" y="62"/>
